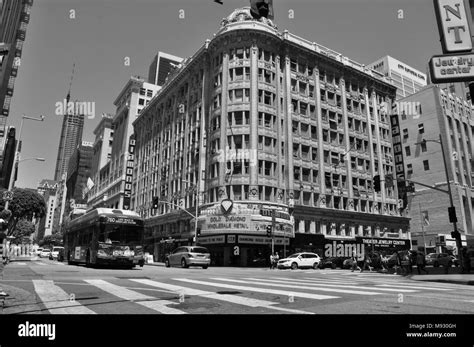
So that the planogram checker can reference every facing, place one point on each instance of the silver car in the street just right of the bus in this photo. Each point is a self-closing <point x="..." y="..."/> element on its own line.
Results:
<point x="186" y="256"/>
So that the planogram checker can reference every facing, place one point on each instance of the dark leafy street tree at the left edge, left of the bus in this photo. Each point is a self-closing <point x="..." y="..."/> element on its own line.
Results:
<point x="25" y="204"/>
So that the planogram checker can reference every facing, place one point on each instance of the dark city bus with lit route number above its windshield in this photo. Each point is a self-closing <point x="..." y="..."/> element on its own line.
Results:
<point x="105" y="236"/>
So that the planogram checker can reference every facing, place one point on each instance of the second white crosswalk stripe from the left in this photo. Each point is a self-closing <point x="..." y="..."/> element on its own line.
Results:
<point x="130" y="295"/>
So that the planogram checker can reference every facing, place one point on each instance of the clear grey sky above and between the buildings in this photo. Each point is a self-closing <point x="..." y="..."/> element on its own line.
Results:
<point x="105" y="32"/>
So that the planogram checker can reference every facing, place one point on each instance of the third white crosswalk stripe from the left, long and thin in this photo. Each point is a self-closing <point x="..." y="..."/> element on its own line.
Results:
<point x="235" y="299"/>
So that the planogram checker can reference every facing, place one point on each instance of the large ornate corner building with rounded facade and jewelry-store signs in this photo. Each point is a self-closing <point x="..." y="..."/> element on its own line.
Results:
<point x="261" y="128"/>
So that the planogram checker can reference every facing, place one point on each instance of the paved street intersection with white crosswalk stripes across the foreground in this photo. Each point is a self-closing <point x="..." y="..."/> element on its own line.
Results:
<point x="51" y="287"/>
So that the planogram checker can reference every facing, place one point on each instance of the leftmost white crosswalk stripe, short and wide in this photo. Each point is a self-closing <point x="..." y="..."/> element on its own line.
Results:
<point x="56" y="300"/>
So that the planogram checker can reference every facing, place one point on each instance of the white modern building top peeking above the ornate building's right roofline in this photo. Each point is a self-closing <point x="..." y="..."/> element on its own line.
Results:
<point x="407" y="79"/>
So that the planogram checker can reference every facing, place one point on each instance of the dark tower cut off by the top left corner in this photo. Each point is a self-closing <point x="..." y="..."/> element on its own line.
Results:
<point x="14" y="18"/>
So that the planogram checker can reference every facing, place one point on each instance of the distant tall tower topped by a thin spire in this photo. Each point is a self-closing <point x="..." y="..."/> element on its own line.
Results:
<point x="71" y="137"/>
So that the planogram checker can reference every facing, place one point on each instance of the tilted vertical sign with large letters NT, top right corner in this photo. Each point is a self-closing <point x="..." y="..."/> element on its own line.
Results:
<point x="454" y="25"/>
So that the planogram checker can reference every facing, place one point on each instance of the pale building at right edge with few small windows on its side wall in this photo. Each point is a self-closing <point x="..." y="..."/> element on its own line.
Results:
<point x="445" y="114"/>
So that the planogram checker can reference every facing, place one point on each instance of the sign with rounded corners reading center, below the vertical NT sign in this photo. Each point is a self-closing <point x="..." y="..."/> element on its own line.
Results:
<point x="452" y="68"/>
